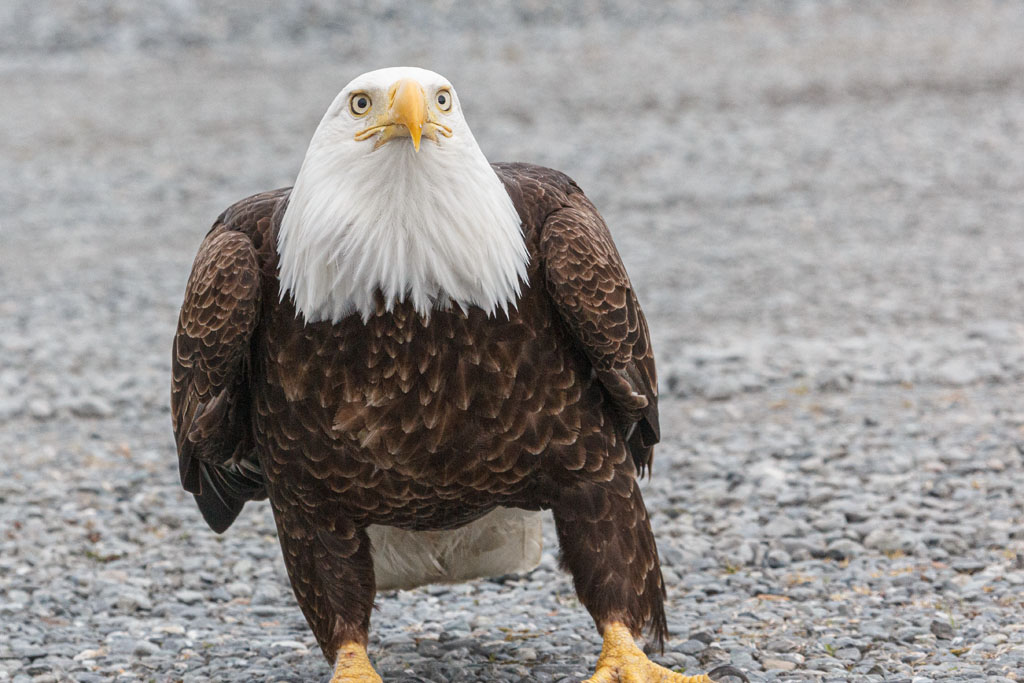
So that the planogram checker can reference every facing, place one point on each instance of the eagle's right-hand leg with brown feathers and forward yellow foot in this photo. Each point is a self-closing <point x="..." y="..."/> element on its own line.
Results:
<point x="608" y="546"/>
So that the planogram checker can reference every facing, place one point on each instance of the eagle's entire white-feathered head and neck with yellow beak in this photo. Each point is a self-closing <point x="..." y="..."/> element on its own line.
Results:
<point x="395" y="195"/>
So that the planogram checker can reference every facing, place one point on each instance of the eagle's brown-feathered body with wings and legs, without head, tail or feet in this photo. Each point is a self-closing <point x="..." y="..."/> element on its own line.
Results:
<point x="425" y="423"/>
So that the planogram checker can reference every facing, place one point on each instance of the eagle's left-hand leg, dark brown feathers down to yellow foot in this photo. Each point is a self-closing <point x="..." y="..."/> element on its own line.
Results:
<point x="332" y="573"/>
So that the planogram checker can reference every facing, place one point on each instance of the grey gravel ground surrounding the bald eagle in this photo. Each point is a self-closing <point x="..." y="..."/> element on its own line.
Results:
<point x="822" y="207"/>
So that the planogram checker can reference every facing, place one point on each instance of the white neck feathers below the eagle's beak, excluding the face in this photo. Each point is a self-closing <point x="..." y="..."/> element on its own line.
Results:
<point x="434" y="229"/>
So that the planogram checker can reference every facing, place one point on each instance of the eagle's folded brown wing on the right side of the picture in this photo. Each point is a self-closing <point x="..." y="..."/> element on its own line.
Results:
<point x="587" y="281"/>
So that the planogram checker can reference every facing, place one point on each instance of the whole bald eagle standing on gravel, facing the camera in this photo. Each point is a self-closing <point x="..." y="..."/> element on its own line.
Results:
<point x="412" y="352"/>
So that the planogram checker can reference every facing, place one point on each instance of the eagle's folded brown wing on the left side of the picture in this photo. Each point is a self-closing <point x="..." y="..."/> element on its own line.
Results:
<point x="210" y="399"/>
